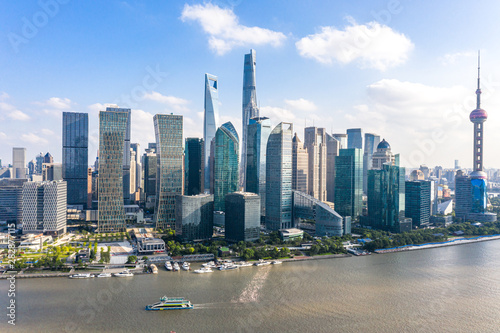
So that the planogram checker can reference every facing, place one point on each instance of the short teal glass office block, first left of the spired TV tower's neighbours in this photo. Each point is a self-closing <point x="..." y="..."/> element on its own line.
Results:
<point x="418" y="202"/>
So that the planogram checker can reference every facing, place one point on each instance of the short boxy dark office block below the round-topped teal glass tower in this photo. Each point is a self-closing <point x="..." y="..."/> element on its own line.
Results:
<point x="242" y="217"/>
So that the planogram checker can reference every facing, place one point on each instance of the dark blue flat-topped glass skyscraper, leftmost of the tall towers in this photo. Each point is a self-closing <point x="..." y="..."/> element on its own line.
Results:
<point x="75" y="142"/>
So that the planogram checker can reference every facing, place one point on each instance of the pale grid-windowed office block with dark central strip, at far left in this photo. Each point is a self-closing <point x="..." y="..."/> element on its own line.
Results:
<point x="44" y="207"/>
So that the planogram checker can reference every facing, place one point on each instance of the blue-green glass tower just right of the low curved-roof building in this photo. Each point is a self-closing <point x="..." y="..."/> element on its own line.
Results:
<point x="348" y="197"/>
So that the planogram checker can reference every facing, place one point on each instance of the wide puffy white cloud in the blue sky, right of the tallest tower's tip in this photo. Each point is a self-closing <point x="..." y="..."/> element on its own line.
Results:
<point x="372" y="44"/>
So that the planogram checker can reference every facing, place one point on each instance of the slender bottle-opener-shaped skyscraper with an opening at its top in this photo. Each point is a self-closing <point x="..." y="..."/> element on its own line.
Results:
<point x="209" y="124"/>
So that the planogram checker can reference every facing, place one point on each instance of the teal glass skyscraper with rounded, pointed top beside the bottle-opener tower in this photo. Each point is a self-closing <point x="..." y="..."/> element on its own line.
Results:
<point x="226" y="162"/>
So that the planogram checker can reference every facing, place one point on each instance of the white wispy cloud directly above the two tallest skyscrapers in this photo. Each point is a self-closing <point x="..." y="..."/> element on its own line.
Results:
<point x="224" y="29"/>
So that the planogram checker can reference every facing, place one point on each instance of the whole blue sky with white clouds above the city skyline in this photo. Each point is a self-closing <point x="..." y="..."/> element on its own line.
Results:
<point x="406" y="71"/>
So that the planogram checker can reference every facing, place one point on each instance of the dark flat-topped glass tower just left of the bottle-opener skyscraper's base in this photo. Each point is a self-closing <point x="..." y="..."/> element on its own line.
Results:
<point x="194" y="166"/>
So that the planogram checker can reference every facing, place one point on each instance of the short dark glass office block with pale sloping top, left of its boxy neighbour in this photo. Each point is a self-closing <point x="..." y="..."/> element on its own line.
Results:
<point x="194" y="217"/>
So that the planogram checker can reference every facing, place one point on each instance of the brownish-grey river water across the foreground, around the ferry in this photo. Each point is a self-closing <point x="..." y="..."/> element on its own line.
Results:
<point x="448" y="289"/>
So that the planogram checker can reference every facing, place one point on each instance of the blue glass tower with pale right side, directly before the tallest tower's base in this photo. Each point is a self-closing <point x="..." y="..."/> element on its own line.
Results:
<point x="258" y="133"/>
